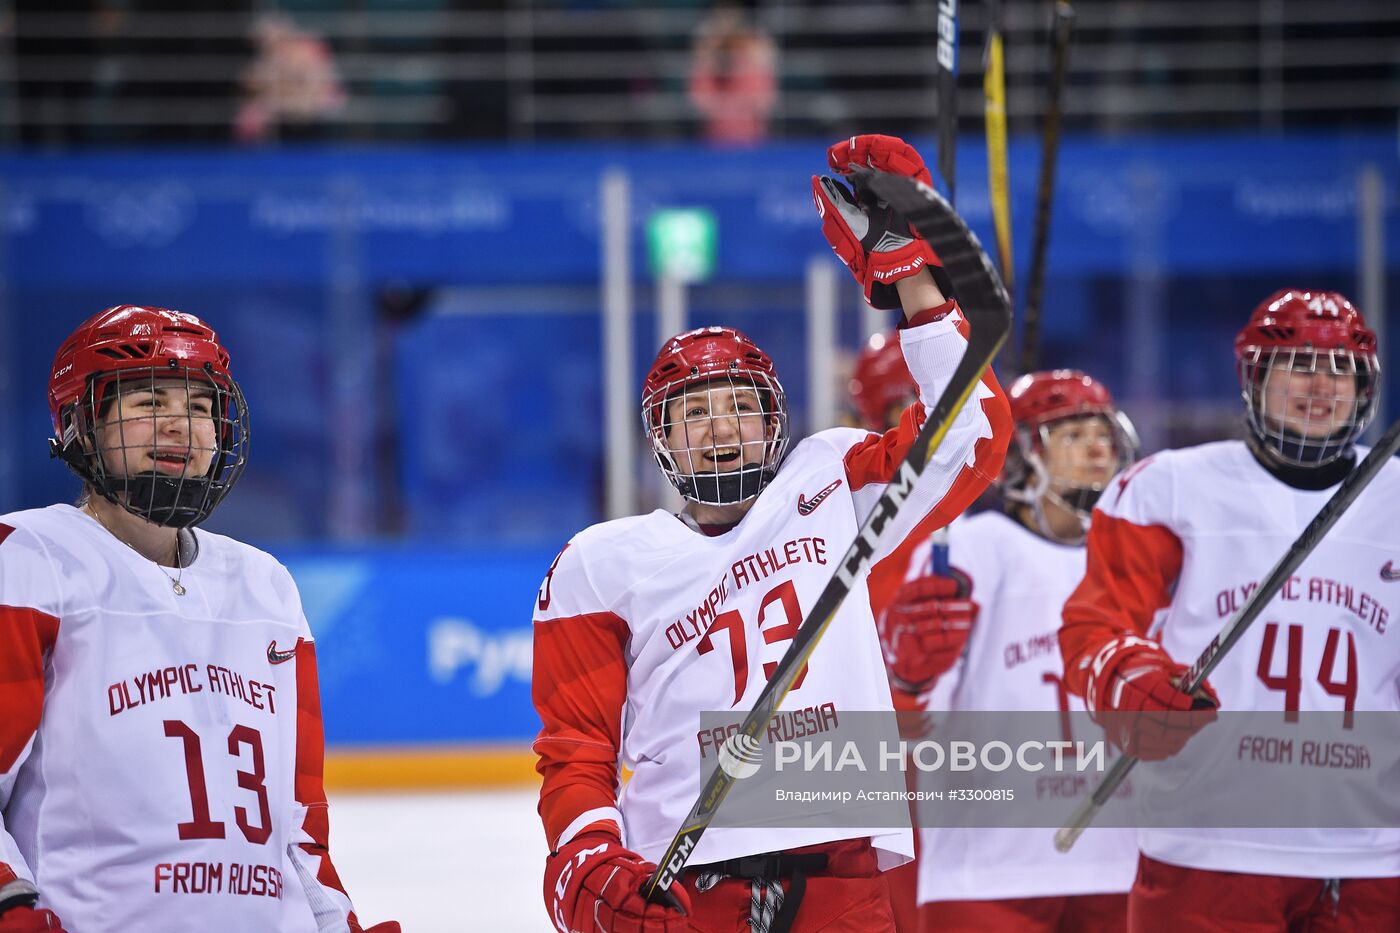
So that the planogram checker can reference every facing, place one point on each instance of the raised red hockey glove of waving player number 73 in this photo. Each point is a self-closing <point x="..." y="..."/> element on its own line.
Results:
<point x="874" y="242"/>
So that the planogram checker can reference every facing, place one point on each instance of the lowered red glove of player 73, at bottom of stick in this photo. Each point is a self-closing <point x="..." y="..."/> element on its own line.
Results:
<point x="594" y="885"/>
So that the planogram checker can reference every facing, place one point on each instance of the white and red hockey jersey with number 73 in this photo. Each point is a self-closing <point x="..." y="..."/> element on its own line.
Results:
<point x="643" y="623"/>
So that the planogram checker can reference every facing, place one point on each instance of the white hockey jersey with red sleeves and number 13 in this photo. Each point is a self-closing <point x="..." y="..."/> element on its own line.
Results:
<point x="160" y="754"/>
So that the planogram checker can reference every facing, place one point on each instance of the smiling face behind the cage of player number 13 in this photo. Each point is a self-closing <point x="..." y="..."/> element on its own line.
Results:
<point x="159" y="427"/>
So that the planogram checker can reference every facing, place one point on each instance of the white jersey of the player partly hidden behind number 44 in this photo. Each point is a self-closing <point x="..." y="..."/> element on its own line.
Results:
<point x="1013" y="663"/>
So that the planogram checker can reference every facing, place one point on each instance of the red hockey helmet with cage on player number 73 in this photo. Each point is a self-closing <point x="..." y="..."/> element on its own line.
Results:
<point x="715" y="357"/>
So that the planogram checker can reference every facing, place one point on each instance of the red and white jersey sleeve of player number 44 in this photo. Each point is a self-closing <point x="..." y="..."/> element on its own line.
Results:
<point x="1135" y="561"/>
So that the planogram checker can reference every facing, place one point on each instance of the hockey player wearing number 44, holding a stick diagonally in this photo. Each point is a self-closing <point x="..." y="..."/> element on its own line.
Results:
<point x="1175" y="541"/>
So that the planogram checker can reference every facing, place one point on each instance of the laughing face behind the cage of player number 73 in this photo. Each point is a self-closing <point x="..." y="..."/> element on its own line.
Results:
<point x="717" y="428"/>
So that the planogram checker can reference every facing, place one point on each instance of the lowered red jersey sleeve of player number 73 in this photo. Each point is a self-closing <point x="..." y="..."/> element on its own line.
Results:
<point x="580" y="690"/>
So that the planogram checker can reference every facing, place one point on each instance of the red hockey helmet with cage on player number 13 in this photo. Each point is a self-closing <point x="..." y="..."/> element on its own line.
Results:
<point x="134" y="348"/>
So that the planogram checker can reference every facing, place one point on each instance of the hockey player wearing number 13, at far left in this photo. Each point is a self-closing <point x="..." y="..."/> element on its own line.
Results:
<point x="162" y="743"/>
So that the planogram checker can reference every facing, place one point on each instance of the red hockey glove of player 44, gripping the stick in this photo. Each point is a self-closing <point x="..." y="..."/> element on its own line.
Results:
<point x="1133" y="694"/>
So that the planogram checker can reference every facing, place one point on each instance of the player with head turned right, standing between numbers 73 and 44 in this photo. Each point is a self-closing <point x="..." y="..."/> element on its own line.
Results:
<point x="983" y="640"/>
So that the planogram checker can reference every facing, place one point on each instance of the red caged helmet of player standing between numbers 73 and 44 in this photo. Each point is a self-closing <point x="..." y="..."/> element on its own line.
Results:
<point x="1038" y="403"/>
